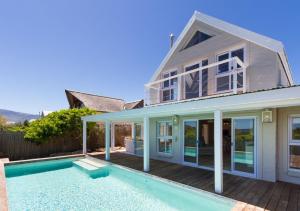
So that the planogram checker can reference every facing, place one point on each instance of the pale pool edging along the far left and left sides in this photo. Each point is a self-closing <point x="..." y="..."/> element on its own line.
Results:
<point x="3" y="192"/>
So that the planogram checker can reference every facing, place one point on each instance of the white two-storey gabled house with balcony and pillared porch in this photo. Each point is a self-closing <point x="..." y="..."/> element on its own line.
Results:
<point x="222" y="99"/>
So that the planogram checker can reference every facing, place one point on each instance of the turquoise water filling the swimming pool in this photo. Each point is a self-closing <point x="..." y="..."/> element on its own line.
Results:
<point x="60" y="185"/>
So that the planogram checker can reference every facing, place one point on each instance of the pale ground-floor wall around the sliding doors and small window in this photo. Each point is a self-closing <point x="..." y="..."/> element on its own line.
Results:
<point x="265" y="141"/>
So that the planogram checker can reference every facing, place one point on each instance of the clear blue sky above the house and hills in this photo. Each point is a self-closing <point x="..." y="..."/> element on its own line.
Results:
<point x="111" y="47"/>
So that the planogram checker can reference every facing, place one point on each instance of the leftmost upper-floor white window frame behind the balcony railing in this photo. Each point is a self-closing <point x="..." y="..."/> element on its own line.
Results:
<point x="171" y="87"/>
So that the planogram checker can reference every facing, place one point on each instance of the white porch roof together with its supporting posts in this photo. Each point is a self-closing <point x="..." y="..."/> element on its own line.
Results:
<point x="266" y="99"/>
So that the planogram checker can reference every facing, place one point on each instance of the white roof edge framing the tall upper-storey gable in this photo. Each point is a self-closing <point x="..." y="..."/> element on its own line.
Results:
<point x="266" y="42"/>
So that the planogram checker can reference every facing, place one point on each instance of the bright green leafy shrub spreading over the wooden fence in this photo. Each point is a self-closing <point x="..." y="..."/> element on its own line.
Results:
<point x="57" y="124"/>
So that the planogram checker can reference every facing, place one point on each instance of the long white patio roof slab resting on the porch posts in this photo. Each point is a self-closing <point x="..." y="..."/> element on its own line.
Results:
<point x="273" y="98"/>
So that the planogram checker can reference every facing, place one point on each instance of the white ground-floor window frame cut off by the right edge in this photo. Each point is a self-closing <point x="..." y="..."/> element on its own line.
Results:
<point x="291" y="142"/>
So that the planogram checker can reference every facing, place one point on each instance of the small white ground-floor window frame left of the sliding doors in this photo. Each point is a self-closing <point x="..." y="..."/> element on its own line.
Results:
<point x="165" y="137"/>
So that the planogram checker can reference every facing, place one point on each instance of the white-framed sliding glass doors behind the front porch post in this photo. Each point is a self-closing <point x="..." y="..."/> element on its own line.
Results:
<point x="239" y="144"/>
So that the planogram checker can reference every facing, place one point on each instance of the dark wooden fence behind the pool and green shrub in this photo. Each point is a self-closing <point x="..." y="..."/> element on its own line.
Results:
<point x="13" y="145"/>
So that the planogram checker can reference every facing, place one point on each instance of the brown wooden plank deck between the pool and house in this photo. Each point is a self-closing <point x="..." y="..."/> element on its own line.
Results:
<point x="255" y="194"/>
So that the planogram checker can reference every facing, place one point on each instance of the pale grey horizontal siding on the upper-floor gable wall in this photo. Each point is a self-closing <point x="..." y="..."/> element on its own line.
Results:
<point x="264" y="69"/>
